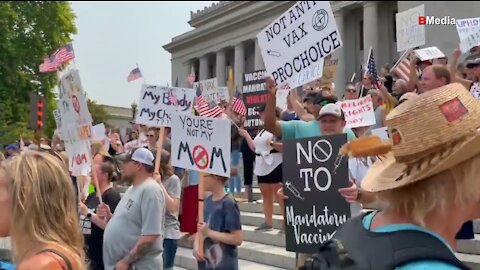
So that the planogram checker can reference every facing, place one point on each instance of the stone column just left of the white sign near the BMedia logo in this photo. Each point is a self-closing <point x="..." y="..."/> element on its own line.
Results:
<point x="370" y="29"/>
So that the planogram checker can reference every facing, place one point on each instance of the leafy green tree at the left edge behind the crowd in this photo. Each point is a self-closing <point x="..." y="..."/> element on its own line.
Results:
<point x="29" y="31"/>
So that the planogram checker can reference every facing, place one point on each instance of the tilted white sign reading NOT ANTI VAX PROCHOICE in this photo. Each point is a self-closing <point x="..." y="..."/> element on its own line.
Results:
<point x="294" y="45"/>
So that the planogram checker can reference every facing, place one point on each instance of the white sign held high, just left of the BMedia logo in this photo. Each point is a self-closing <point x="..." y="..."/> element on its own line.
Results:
<point x="410" y="33"/>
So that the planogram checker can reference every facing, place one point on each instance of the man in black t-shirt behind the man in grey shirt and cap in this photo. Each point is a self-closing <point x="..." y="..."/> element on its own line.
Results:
<point x="92" y="225"/>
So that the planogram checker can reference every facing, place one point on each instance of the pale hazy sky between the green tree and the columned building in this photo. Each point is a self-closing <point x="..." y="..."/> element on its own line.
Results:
<point x="114" y="36"/>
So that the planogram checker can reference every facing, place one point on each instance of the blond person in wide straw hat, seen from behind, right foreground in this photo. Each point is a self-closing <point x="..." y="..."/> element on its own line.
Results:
<point x="424" y="176"/>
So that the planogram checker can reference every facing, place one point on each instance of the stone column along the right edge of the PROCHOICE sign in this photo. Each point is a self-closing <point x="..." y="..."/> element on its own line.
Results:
<point x="340" y="55"/>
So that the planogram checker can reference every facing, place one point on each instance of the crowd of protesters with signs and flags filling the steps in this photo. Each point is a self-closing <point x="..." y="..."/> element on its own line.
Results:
<point x="366" y="174"/>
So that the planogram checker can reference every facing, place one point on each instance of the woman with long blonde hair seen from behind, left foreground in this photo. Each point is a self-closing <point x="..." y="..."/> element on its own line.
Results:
<point x="39" y="212"/>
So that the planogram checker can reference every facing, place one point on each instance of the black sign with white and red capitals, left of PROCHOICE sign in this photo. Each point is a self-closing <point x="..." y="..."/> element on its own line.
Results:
<point x="254" y="94"/>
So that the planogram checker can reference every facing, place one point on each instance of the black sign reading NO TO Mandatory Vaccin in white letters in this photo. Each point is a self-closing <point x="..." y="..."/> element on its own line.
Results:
<point x="314" y="208"/>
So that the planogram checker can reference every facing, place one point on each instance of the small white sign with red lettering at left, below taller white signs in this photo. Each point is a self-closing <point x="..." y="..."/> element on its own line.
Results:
<point x="79" y="157"/>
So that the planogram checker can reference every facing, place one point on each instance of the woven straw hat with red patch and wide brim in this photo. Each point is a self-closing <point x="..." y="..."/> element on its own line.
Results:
<point x="428" y="135"/>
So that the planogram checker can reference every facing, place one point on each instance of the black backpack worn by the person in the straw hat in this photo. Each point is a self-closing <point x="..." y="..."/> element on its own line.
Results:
<point x="356" y="248"/>
